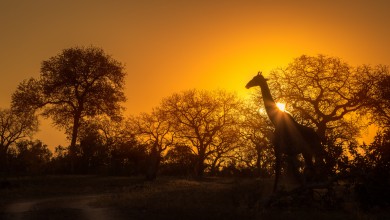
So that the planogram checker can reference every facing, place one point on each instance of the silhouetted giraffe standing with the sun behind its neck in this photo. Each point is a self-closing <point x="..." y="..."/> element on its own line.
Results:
<point x="290" y="138"/>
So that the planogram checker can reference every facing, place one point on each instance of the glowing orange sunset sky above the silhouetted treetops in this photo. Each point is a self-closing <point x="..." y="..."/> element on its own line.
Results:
<point x="169" y="46"/>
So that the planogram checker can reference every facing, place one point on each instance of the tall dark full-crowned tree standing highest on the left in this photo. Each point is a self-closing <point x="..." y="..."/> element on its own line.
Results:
<point x="76" y="84"/>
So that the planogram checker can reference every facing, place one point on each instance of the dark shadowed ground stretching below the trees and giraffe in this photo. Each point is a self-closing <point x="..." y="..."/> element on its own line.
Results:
<point x="90" y="197"/>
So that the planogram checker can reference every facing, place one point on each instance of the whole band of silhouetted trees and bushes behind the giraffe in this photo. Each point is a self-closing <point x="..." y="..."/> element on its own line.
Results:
<point x="192" y="132"/>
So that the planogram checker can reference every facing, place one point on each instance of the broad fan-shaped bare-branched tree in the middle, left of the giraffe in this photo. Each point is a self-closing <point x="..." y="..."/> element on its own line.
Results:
<point x="199" y="118"/>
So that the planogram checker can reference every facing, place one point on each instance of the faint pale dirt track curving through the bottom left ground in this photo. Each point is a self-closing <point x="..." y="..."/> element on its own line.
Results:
<point x="68" y="207"/>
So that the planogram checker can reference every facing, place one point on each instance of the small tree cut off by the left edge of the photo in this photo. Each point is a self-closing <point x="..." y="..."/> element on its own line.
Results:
<point x="14" y="126"/>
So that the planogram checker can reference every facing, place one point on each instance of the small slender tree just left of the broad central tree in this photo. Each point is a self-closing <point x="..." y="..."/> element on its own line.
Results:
<point x="154" y="130"/>
